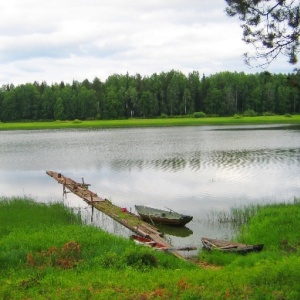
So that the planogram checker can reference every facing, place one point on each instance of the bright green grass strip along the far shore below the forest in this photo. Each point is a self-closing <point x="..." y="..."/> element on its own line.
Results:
<point x="295" y="119"/>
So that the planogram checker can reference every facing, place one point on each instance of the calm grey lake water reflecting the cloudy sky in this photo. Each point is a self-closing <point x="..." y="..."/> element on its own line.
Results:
<point x="199" y="171"/>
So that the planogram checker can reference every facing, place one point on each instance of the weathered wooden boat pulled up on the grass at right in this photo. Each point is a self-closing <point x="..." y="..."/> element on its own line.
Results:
<point x="227" y="246"/>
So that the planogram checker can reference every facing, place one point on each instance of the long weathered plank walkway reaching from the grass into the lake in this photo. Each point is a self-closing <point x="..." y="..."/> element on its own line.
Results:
<point x="127" y="219"/>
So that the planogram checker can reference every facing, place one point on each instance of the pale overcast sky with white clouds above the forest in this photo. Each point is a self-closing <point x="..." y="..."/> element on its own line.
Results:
<point x="66" y="40"/>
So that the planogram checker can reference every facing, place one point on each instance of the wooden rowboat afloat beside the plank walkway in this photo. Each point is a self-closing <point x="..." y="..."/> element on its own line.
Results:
<point x="153" y="215"/>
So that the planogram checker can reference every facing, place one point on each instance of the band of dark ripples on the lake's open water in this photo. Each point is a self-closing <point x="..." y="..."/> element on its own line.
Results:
<point x="229" y="160"/>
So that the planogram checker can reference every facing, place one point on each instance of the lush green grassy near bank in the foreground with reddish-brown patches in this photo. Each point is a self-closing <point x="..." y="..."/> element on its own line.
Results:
<point x="46" y="253"/>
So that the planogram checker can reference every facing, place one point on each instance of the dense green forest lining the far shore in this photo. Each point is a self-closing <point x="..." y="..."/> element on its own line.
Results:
<point x="164" y="94"/>
